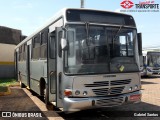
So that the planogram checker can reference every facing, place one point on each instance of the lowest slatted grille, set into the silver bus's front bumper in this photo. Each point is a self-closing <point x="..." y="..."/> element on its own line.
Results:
<point x="108" y="102"/>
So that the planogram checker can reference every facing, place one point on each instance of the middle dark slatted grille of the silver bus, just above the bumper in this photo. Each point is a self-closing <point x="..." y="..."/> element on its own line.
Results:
<point x="108" y="91"/>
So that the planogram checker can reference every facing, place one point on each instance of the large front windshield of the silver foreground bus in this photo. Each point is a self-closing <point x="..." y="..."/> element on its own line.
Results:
<point x="100" y="49"/>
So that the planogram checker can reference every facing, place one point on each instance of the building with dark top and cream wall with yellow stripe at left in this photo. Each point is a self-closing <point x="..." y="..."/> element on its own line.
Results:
<point x="9" y="38"/>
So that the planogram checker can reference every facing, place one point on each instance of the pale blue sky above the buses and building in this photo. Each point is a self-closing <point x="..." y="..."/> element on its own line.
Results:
<point x="29" y="15"/>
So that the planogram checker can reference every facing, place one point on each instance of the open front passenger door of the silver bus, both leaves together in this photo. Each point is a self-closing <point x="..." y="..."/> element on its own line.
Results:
<point x="54" y="68"/>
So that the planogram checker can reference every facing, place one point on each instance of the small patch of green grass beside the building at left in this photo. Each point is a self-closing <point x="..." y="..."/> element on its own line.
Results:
<point x="8" y="82"/>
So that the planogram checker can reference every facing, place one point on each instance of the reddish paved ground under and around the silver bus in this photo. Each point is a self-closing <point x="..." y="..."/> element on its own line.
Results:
<point x="24" y="100"/>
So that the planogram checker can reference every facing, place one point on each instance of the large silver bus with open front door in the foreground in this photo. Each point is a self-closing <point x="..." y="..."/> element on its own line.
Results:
<point x="83" y="59"/>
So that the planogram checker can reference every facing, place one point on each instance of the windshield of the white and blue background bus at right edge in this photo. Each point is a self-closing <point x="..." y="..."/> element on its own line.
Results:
<point x="154" y="59"/>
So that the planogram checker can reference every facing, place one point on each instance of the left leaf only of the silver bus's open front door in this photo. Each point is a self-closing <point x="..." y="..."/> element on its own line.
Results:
<point x="51" y="68"/>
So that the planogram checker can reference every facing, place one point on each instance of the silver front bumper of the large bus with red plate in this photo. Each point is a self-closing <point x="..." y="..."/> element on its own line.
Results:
<point x="76" y="104"/>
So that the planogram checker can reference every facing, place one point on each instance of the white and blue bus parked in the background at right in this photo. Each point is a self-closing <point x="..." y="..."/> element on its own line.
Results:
<point x="150" y="63"/>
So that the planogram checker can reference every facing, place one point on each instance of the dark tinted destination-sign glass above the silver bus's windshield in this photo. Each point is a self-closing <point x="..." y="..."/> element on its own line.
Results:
<point x="99" y="16"/>
